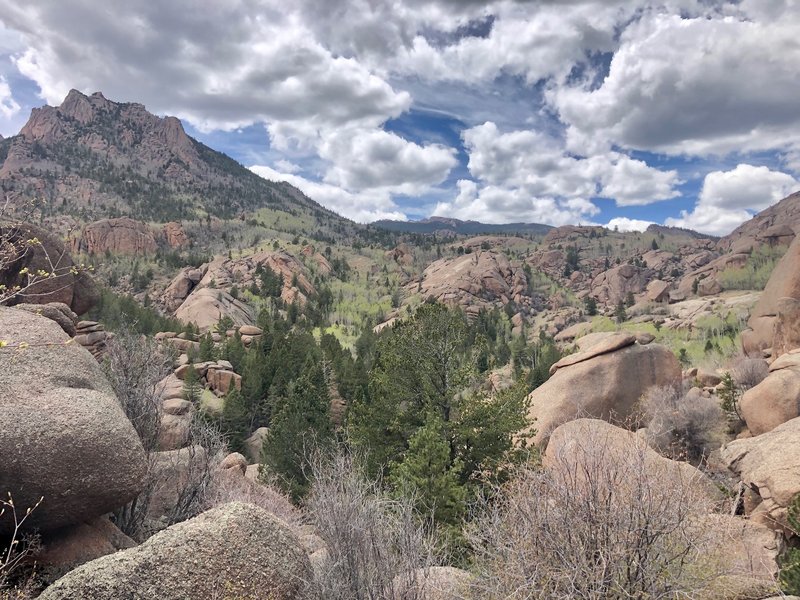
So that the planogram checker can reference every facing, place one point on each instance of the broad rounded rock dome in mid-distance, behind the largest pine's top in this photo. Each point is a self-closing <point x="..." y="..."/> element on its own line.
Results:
<point x="473" y="281"/>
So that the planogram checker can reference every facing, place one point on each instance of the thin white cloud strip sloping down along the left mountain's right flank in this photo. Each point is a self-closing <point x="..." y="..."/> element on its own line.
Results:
<point x="362" y="207"/>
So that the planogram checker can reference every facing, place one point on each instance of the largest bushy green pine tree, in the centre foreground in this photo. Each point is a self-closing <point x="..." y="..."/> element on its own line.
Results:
<point x="422" y="379"/>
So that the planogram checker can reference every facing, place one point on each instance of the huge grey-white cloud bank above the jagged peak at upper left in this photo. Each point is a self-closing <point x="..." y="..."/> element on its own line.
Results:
<point x="227" y="65"/>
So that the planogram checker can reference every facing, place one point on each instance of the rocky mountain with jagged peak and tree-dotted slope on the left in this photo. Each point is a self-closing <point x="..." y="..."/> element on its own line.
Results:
<point x="99" y="158"/>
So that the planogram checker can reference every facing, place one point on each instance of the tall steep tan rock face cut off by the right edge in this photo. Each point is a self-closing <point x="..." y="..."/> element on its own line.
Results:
<point x="783" y="283"/>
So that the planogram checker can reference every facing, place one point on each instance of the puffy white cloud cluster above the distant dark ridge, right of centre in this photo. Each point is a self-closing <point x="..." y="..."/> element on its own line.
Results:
<point x="527" y="175"/>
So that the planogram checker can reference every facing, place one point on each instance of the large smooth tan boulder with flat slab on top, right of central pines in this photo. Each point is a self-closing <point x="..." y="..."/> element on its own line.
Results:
<point x="606" y="386"/>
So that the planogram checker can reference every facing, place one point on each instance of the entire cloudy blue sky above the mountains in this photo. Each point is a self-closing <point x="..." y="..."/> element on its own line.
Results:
<point x="615" y="112"/>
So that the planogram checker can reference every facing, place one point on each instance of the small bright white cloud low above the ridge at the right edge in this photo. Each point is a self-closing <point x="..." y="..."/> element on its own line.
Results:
<point x="729" y="198"/>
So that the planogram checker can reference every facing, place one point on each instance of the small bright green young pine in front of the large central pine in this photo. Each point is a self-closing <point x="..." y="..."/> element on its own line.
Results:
<point x="427" y="471"/>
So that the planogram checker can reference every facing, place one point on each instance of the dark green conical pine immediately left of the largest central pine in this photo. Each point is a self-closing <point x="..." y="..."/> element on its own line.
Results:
<point x="301" y="424"/>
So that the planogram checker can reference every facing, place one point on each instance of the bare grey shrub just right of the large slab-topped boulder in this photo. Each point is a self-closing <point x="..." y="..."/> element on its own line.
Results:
<point x="681" y="424"/>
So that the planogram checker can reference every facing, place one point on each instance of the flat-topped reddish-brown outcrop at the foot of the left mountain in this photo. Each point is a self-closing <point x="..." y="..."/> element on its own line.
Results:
<point x="120" y="236"/>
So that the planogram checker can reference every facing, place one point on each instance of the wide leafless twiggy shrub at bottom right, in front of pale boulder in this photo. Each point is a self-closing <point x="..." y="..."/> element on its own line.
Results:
<point x="597" y="523"/>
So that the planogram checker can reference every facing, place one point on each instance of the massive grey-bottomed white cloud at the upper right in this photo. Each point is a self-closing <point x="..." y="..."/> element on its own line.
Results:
<point x="691" y="86"/>
